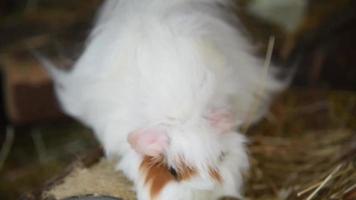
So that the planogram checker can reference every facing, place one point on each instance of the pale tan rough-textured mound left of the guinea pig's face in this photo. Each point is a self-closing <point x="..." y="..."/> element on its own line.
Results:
<point x="100" y="179"/>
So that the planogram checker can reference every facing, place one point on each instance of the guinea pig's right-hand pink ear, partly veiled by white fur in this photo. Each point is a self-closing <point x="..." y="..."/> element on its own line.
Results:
<point x="221" y="119"/>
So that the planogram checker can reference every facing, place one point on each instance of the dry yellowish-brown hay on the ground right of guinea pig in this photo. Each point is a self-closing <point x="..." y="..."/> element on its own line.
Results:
<point x="315" y="165"/>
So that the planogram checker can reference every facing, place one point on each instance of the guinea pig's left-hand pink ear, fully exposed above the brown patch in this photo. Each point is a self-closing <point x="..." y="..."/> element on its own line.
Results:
<point x="151" y="141"/>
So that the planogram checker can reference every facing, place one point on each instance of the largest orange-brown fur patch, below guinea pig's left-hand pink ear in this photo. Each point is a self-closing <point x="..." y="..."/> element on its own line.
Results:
<point x="158" y="174"/>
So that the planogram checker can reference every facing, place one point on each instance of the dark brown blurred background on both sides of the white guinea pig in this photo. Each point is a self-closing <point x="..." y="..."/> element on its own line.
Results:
<point x="309" y="132"/>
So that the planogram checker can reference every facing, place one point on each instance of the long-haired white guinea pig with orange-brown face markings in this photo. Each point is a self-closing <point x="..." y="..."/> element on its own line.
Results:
<point x="165" y="85"/>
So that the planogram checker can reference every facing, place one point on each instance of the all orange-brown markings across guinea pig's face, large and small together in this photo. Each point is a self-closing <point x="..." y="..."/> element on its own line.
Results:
<point x="157" y="174"/>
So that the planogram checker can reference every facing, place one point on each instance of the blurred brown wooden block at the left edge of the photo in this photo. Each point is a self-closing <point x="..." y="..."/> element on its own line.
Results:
<point x="28" y="90"/>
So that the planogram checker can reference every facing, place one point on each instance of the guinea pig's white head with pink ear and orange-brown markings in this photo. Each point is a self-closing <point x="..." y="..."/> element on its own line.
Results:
<point x="186" y="159"/>
